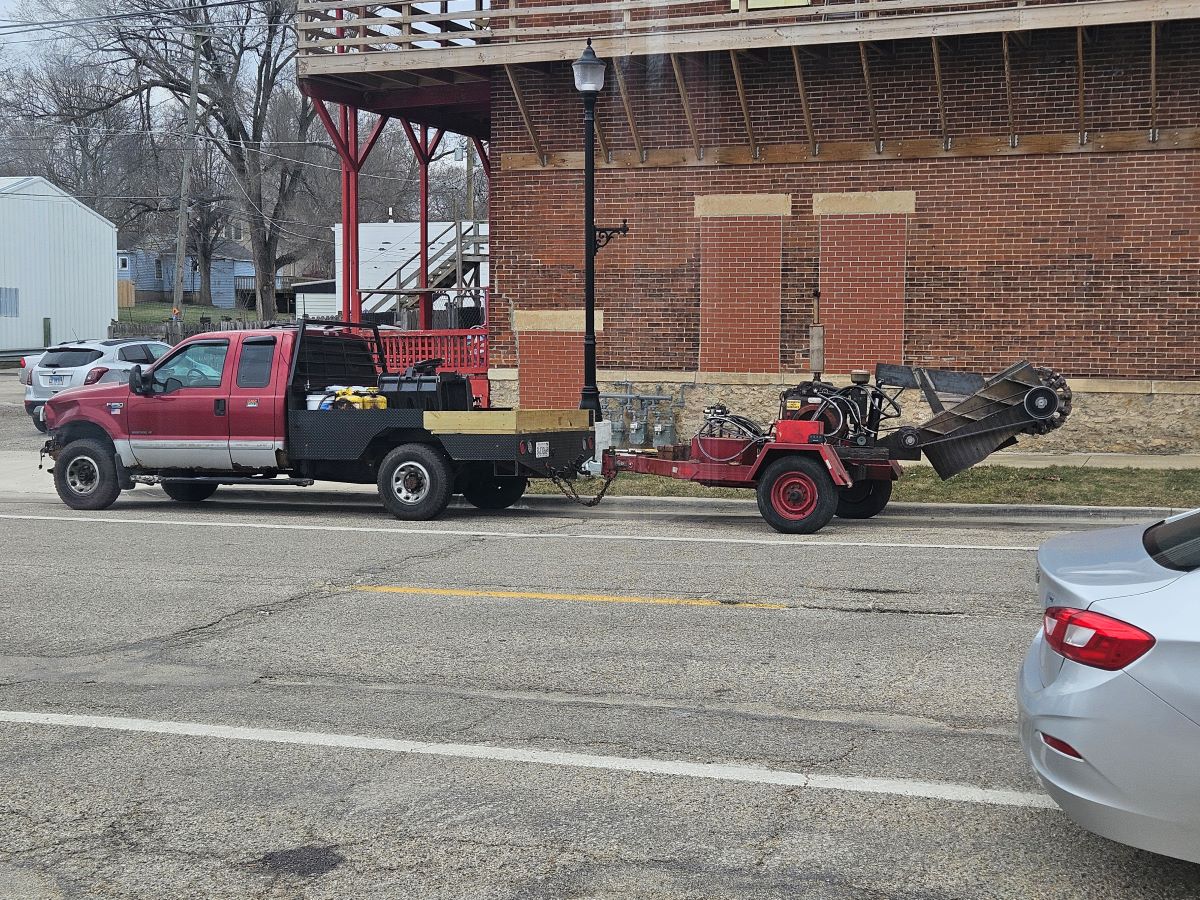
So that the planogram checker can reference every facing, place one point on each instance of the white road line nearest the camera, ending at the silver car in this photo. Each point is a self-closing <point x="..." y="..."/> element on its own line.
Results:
<point x="718" y="772"/>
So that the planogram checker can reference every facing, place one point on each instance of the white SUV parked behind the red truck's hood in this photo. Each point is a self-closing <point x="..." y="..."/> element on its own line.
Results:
<point x="80" y="363"/>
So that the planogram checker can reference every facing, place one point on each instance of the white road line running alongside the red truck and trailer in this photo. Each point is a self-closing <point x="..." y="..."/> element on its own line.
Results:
<point x="517" y="536"/>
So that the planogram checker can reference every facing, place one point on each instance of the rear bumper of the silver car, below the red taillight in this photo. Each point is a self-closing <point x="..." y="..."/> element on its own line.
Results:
<point x="1138" y="782"/>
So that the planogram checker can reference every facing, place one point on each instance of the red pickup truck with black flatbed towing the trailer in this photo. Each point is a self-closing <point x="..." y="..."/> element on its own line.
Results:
<point x="261" y="407"/>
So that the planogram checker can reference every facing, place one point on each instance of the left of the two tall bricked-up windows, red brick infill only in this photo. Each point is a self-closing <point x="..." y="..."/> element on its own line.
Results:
<point x="740" y="293"/>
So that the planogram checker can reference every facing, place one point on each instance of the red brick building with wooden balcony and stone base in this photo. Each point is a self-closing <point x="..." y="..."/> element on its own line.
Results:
<point x="1024" y="184"/>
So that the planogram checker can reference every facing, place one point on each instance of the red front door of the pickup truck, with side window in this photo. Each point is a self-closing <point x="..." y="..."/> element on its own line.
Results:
<point x="183" y="422"/>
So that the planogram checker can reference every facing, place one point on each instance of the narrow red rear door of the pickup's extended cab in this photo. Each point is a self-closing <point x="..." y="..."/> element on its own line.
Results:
<point x="256" y="405"/>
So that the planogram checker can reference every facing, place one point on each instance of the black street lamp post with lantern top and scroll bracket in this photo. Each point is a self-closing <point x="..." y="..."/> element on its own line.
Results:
<point x="590" y="73"/>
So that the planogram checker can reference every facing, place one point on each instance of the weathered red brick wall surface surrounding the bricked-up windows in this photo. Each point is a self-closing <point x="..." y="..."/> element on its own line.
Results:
<point x="1089" y="262"/>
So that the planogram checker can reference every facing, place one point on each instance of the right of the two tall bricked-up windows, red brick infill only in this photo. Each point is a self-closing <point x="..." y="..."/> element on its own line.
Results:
<point x="862" y="290"/>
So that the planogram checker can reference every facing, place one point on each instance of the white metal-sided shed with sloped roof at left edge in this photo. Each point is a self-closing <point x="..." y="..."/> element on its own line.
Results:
<point x="58" y="267"/>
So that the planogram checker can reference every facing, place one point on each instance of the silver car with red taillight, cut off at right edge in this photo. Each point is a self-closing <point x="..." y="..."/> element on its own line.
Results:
<point x="1111" y="691"/>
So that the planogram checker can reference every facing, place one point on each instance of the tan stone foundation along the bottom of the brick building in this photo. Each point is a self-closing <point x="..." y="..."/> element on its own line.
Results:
<point x="1109" y="416"/>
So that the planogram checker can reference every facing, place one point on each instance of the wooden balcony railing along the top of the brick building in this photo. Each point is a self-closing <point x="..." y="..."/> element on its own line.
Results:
<point x="351" y="27"/>
